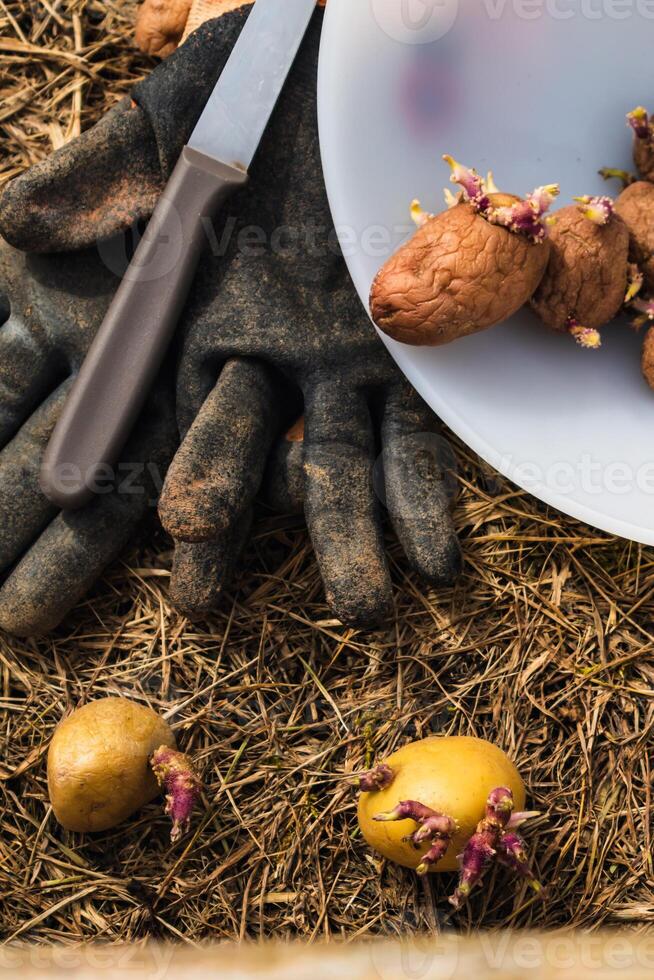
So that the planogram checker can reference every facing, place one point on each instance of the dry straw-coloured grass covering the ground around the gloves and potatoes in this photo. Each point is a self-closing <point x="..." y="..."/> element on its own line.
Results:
<point x="546" y="647"/>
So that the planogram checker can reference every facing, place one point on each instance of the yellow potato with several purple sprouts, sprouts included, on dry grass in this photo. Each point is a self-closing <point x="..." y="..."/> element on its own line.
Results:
<point x="445" y="803"/>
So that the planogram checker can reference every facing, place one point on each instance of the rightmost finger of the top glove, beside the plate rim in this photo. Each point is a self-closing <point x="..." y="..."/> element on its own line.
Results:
<point x="416" y="461"/>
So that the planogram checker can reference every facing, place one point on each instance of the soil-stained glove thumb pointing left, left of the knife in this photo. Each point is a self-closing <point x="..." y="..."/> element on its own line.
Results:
<point x="91" y="188"/>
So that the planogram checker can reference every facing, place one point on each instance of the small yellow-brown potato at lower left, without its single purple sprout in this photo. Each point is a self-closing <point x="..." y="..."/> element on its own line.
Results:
<point x="98" y="770"/>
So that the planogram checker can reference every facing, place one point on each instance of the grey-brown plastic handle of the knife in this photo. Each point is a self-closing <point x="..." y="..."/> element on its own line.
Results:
<point x="127" y="352"/>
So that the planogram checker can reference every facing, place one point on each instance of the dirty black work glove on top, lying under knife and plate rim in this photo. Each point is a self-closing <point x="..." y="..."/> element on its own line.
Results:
<point x="272" y="314"/>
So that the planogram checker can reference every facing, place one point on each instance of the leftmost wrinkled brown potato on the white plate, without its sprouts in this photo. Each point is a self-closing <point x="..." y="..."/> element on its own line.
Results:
<point x="459" y="274"/>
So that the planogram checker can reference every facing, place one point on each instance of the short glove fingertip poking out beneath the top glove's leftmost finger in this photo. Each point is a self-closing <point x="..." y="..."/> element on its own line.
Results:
<point x="202" y="571"/>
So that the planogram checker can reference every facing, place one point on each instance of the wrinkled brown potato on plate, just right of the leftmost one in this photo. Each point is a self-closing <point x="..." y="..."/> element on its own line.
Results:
<point x="586" y="277"/>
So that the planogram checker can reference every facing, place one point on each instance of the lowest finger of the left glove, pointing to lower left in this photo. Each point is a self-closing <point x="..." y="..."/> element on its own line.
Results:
<point x="73" y="551"/>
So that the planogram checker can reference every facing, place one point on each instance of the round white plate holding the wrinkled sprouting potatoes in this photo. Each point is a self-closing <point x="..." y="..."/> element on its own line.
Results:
<point x="538" y="97"/>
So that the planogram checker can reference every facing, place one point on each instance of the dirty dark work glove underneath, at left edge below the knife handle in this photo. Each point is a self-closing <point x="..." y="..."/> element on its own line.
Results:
<point x="50" y="308"/>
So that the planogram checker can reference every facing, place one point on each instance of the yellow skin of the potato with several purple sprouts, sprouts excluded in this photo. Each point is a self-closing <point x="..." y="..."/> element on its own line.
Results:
<point x="451" y="774"/>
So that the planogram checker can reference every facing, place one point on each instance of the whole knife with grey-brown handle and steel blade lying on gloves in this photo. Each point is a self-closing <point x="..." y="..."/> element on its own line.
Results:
<point x="125" y="356"/>
